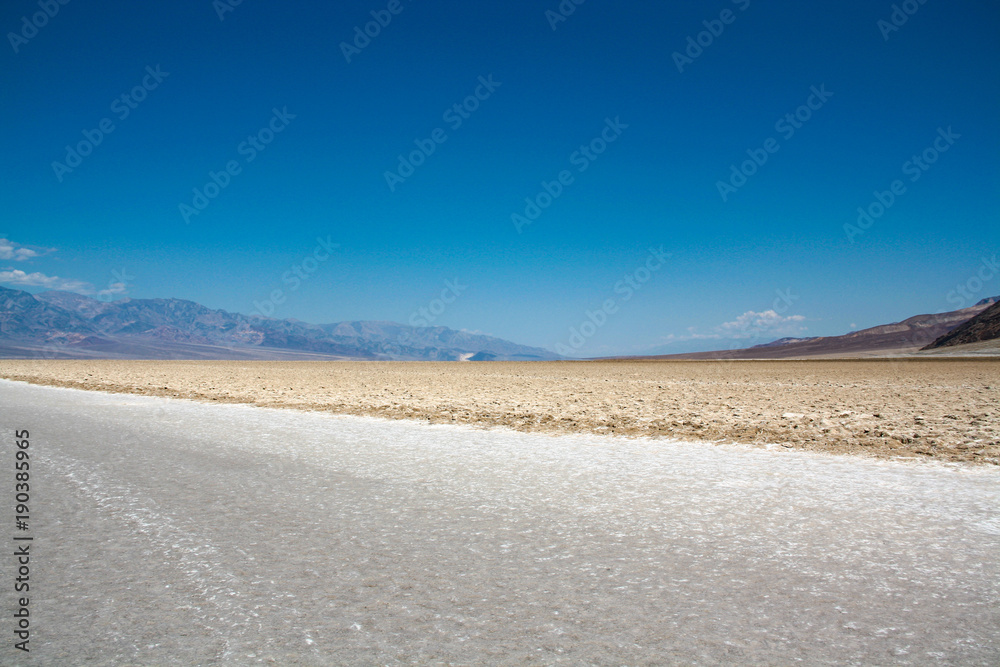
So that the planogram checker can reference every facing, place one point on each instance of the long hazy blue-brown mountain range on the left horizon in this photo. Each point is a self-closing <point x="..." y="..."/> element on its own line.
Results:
<point x="65" y="325"/>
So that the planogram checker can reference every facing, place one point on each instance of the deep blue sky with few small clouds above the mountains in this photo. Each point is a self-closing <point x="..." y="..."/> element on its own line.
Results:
<point x="639" y="239"/>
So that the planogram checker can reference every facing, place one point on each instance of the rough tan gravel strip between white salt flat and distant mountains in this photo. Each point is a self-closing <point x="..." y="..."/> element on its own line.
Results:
<point x="943" y="409"/>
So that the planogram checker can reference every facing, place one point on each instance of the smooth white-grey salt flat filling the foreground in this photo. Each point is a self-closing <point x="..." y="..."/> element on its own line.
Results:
<point x="173" y="532"/>
